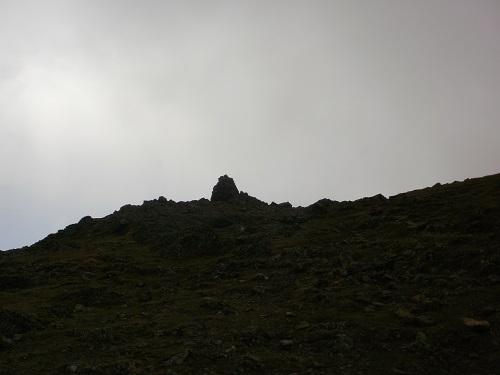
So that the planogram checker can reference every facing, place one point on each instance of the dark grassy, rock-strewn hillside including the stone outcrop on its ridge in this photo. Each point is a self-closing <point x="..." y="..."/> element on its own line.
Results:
<point x="408" y="284"/>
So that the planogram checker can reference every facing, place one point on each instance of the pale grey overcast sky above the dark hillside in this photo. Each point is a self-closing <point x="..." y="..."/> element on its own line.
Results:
<point x="105" y="103"/>
